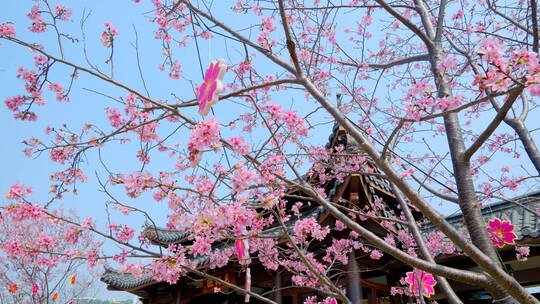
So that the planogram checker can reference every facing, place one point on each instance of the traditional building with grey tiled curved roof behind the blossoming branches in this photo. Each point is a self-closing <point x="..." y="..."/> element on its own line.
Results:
<point x="367" y="280"/>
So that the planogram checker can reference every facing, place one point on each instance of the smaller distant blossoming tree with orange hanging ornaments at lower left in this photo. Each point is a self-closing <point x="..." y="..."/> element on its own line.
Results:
<point x="41" y="257"/>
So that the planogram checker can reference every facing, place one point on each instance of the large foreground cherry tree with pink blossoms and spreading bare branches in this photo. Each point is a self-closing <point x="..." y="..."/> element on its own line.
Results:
<point x="438" y="96"/>
